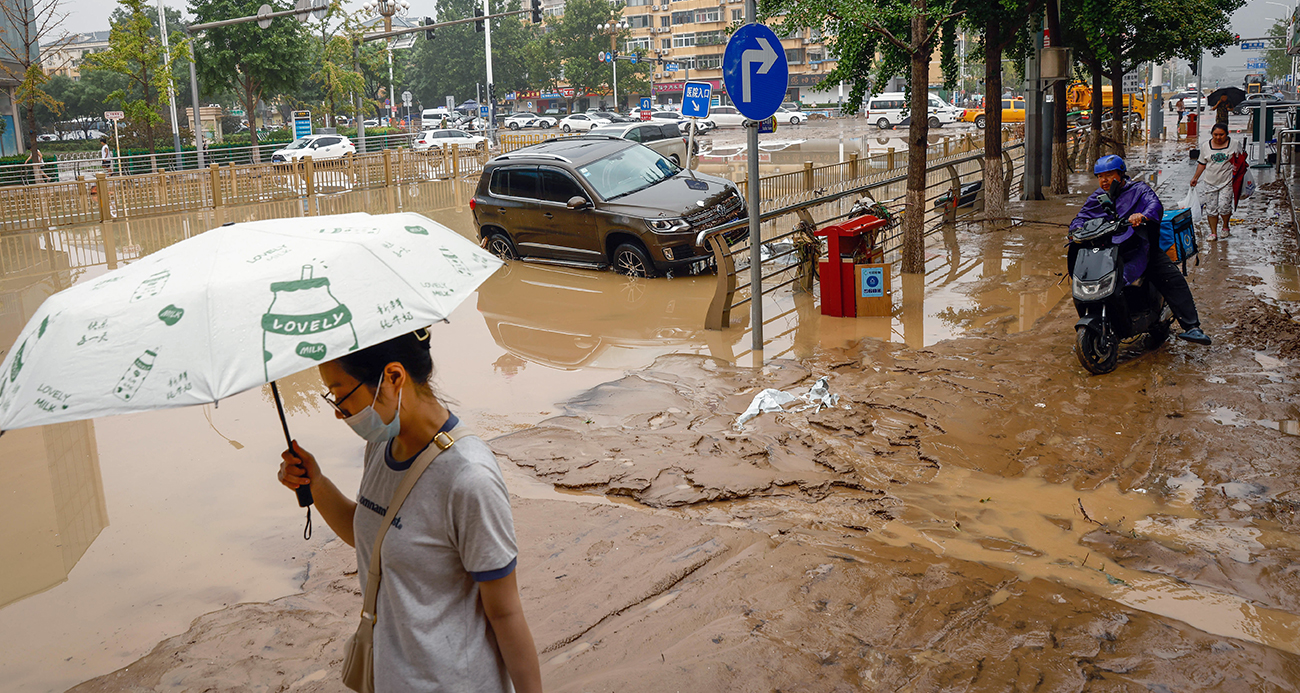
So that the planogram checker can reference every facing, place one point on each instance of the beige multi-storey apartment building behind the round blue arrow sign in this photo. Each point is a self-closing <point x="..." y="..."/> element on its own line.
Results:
<point x="691" y="37"/>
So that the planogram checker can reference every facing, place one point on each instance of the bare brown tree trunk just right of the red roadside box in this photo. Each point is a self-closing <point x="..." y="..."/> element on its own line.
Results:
<point x="915" y="220"/>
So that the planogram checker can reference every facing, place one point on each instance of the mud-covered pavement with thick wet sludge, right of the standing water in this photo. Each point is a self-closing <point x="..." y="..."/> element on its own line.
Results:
<point x="974" y="516"/>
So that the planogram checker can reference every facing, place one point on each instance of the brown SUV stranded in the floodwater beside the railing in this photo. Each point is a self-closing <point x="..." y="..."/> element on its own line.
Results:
<point x="601" y="201"/>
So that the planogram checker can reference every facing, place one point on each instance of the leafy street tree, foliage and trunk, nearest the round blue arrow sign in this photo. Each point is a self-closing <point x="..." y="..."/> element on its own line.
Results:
<point x="878" y="41"/>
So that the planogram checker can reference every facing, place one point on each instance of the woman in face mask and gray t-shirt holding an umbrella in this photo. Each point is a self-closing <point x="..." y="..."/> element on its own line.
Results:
<point x="449" y="616"/>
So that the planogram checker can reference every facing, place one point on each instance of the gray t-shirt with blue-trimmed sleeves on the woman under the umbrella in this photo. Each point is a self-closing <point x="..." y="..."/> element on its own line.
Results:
<point x="454" y="531"/>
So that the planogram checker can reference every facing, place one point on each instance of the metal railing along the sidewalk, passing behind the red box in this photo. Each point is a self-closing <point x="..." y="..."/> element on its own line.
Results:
<point x="946" y="177"/>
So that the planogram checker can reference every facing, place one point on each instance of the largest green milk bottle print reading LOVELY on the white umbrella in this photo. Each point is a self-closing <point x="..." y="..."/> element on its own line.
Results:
<point x="305" y="326"/>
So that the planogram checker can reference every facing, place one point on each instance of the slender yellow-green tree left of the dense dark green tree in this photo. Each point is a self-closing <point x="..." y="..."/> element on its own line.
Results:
<point x="137" y="55"/>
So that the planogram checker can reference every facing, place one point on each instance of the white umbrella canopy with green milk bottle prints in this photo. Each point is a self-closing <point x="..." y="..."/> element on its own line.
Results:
<point x="231" y="310"/>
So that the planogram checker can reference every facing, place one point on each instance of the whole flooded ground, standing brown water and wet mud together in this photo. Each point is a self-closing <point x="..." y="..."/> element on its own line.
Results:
<point x="981" y="474"/>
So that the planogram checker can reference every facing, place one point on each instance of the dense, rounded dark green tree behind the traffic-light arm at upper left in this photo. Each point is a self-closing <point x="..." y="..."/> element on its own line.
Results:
<point x="257" y="64"/>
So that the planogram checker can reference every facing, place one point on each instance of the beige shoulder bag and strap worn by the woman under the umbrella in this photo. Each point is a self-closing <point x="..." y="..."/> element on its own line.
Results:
<point x="359" y="660"/>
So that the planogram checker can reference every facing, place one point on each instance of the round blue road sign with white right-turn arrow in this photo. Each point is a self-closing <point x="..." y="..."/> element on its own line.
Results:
<point x="755" y="71"/>
